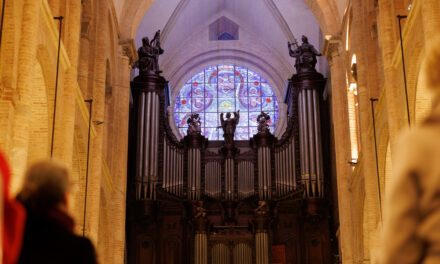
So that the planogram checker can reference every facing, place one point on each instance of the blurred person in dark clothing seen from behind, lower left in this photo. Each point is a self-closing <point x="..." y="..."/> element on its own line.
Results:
<point x="48" y="235"/>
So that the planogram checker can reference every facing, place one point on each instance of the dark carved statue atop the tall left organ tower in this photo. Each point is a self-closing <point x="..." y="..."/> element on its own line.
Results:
<point x="149" y="55"/>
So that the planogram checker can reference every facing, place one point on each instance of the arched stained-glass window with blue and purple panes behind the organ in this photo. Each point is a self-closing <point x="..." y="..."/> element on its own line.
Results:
<point x="225" y="88"/>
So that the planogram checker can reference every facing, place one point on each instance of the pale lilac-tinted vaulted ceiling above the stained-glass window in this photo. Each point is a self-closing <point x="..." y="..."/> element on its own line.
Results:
<point x="265" y="26"/>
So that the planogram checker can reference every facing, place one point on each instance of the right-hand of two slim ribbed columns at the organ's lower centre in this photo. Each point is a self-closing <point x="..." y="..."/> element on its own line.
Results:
<point x="262" y="244"/>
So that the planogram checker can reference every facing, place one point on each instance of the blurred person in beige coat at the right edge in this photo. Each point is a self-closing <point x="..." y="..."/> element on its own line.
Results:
<point x="411" y="232"/>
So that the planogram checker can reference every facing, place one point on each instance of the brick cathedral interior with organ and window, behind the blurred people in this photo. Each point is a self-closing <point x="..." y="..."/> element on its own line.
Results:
<point x="223" y="131"/>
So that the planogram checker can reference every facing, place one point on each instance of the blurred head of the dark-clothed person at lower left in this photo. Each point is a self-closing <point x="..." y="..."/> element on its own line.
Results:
<point x="45" y="186"/>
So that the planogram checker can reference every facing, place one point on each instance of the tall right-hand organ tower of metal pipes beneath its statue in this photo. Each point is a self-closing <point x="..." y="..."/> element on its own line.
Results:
<point x="310" y="86"/>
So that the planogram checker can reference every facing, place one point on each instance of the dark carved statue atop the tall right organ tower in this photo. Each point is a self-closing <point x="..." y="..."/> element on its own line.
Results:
<point x="305" y="55"/>
